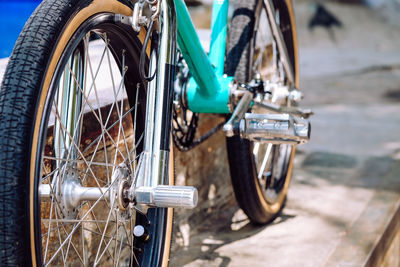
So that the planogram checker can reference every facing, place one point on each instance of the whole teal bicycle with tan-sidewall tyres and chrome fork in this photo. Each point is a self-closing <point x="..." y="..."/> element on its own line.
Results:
<point x="85" y="168"/>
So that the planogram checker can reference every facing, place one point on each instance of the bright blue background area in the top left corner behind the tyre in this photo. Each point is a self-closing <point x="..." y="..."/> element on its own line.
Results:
<point x="13" y="16"/>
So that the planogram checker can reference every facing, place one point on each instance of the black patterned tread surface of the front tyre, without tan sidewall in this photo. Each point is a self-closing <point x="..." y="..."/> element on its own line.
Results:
<point x="18" y="99"/>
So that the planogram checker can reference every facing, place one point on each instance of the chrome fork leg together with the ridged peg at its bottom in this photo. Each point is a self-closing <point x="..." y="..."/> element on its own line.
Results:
<point x="147" y="189"/>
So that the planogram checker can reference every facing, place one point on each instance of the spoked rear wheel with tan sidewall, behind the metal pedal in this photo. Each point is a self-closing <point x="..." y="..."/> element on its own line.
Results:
<point x="260" y="172"/>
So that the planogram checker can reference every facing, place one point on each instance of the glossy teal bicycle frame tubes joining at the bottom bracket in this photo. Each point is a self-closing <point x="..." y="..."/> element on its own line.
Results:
<point x="208" y="89"/>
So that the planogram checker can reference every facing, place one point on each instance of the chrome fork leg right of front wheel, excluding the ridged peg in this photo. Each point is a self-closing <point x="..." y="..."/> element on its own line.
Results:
<point x="153" y="164"/>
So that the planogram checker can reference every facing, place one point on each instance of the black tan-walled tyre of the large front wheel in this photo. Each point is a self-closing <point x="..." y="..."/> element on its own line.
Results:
<point x="21" y="89"/>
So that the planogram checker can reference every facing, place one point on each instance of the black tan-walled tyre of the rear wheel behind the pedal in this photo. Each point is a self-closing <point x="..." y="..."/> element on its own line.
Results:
<point x="241" y="163"/>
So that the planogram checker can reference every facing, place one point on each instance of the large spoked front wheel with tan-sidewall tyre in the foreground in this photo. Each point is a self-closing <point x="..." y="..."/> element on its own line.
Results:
<point x="72" y="110"/>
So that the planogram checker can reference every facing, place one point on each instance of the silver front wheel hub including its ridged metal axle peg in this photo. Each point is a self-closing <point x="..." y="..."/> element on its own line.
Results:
<point x="121" y="195"/>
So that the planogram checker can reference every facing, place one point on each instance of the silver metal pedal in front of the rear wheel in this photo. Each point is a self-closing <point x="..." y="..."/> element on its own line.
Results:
<point x="273" y="128"/>
